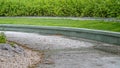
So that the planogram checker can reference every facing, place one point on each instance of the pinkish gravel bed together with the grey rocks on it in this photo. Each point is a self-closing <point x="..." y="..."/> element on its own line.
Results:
<point x="18" y="57"/>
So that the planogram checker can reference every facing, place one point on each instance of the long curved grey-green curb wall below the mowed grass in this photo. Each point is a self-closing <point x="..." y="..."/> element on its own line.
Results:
<point x="98" y="35"/>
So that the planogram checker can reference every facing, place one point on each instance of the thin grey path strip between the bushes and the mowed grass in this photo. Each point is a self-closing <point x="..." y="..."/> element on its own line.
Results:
<point x="72" y="18"/>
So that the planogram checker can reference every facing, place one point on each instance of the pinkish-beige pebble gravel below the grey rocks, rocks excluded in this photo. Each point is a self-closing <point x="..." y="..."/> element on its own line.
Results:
<point x="18" y="61"/>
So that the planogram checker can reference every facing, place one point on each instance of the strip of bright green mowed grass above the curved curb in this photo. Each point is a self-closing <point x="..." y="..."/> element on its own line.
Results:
<point x="90" y="24"/>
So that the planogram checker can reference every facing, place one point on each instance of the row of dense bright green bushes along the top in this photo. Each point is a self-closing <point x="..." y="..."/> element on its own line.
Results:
<point x="77" y="8"/>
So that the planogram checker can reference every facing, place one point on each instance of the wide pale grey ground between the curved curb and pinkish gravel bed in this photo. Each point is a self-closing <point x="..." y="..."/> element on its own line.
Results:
<point x="67" y="52"/>
